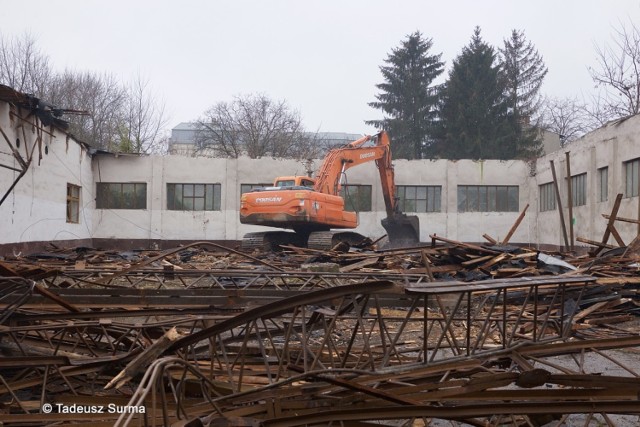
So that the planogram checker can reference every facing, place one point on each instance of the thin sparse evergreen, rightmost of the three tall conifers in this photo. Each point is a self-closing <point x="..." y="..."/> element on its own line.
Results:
<point x="524" y="72"/>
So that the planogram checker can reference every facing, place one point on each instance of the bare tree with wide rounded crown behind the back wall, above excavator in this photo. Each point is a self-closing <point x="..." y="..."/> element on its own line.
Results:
<point x="253" y="125"/>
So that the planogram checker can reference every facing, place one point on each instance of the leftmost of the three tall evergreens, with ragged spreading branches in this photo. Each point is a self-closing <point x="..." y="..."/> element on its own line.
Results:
<point x="407" y="97"/>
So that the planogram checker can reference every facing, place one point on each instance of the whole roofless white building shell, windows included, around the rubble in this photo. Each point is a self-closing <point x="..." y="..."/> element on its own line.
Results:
<point x="71" y="196"/>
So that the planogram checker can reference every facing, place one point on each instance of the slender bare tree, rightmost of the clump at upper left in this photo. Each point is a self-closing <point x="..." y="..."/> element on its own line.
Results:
<point x="141" y="129"/>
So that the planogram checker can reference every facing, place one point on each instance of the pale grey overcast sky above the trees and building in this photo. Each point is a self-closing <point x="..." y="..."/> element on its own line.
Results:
<point x="321" y="57"/>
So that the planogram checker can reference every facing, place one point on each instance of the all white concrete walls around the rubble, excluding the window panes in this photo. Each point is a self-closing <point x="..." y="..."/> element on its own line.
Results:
<point x="36" y="210"/>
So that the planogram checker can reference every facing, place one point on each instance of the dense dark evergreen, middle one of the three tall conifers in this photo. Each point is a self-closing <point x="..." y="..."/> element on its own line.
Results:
<point x="473" y="110"/>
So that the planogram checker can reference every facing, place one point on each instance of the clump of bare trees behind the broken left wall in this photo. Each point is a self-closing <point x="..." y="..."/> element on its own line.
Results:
<point x="112" y="117"/>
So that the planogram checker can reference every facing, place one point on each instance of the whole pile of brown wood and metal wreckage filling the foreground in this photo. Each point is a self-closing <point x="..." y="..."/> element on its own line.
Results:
<point x="204" y="335"/>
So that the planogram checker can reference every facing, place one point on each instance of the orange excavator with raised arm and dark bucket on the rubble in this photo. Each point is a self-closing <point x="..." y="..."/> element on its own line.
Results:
<point x="314" y="209"/>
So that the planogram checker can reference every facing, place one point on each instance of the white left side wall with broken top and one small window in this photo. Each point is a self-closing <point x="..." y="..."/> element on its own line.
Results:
<point x="36" y="208"/>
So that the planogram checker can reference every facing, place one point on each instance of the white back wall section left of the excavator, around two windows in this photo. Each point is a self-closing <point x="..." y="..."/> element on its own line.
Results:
<point x="156" y="222"/>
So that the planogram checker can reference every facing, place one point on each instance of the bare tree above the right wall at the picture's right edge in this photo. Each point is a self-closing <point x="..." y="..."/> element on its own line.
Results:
<point x="618" y="73"/>
